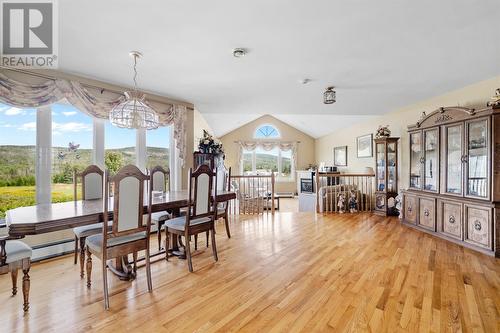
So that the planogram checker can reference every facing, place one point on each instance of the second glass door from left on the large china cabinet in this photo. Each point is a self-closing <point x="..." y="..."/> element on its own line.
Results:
<point x="431" y="159"/>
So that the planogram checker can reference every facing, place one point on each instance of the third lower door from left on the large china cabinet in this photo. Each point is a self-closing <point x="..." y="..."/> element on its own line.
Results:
<point x="450" y="221"/>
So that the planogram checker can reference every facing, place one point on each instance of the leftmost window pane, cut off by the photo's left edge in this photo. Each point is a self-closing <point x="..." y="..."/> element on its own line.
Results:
<point x="17" y="157"/>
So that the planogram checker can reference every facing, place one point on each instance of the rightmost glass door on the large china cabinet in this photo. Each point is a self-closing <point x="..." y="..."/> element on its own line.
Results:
<point x="476" y="183"/>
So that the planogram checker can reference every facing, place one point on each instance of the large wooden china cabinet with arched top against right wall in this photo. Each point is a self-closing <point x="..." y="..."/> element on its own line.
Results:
<point x="454" y="177"/>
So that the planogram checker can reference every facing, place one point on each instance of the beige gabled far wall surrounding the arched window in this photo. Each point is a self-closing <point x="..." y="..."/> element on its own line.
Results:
<point x="305" y="151"/>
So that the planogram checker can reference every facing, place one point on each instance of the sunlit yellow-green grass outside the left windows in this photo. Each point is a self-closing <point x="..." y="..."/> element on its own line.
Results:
<point x="19" y="196"/>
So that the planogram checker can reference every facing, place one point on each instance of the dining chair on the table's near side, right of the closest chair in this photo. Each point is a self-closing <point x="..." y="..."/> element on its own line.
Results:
<point x="200" y="215"/>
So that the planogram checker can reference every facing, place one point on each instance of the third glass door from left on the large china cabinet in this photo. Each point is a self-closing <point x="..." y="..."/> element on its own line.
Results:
<point x="454" y="152"/>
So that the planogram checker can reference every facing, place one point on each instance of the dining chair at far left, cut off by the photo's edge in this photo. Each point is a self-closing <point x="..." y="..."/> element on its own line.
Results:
<point x="15" y="255"/>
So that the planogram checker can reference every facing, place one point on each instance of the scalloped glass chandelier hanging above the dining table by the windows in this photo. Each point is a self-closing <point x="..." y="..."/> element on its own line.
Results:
<point x="134" y="113"/>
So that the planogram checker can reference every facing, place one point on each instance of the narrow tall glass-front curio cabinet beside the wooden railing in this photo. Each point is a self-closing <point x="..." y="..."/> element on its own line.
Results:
<point x="386" y="175"/>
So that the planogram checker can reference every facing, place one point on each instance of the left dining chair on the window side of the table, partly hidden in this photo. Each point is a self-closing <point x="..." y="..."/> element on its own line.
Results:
<point x="92" y="181"/>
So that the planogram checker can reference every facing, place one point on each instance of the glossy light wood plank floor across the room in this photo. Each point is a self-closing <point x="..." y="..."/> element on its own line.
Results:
<point x="296" y="272"/>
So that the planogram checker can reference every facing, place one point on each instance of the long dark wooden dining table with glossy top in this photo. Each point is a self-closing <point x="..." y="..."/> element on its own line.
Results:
<point x="50" y="217"/>
